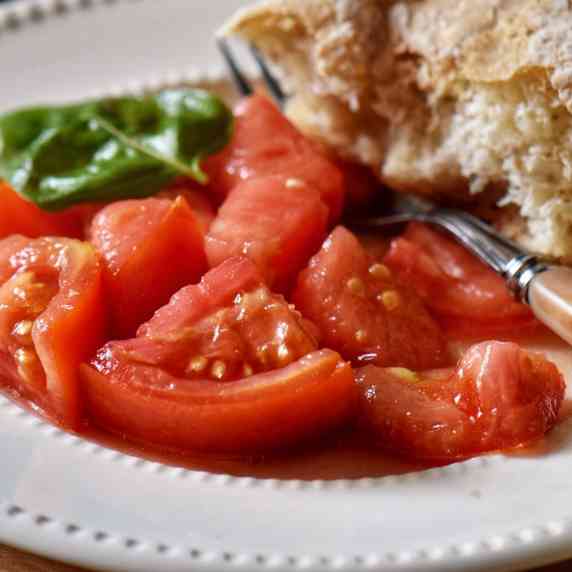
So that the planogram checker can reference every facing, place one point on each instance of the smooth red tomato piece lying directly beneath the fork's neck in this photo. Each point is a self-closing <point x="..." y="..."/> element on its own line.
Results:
<point x="459" y="289"/>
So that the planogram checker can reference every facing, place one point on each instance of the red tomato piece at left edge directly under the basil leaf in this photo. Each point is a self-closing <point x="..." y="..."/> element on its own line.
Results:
<point x="18" y="216"/>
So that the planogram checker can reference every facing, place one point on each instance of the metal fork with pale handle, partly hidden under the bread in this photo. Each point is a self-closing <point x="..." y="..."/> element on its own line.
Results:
<point x="545" y="287"/>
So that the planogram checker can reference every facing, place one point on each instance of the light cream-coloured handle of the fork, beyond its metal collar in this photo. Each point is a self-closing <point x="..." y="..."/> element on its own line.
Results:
<point x="550" y="298"/>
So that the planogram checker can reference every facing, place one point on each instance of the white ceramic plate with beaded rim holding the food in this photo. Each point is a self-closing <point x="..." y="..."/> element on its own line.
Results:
<point x="73" y="500"/>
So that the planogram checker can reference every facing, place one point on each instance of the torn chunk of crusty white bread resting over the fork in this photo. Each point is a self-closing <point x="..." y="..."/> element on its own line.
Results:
<point x="449" y="97"/>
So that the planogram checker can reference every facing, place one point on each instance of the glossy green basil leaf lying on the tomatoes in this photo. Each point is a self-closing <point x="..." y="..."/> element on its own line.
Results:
<point x="110" y="149"/>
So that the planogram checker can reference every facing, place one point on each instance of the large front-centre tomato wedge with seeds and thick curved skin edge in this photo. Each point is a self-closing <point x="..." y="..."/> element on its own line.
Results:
<point x="200" y="375"/>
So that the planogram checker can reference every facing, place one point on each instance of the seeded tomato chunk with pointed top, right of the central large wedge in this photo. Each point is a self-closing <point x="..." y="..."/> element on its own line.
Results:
<point x="361" y="311"/>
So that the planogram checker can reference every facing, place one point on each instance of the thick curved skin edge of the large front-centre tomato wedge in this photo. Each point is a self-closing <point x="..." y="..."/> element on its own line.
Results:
<point x="251" y="416"/>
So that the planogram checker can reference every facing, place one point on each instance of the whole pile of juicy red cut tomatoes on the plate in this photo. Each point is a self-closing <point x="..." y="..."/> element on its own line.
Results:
<point x="291" y="333"/>
